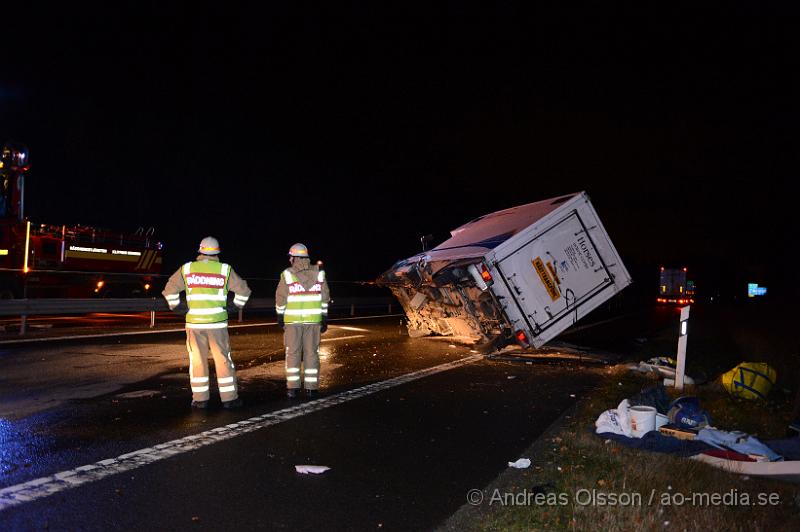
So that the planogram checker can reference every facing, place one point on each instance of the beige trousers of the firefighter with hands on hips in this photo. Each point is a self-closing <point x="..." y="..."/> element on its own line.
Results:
<point x="199" y="342"/>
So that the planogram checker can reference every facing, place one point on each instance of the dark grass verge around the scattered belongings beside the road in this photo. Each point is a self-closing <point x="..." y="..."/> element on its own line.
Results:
<point x="578" y="481"/>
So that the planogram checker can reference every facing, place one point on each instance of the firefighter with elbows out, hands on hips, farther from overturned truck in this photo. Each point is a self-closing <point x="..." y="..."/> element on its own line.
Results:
<point x="207" y="282"/>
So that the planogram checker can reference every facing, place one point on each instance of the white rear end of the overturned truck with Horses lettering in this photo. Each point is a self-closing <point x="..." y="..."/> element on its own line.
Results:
<point x="556" y="271"/>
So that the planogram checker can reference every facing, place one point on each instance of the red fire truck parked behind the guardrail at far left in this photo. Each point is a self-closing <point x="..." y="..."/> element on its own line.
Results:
<point x="46" y="260"/>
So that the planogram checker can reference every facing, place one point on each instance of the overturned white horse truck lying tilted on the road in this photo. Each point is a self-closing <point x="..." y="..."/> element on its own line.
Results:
<point x="522" y="275"/>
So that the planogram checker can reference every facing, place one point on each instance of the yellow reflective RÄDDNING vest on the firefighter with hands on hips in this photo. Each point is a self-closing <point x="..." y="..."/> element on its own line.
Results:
<point x="206" y="292"/>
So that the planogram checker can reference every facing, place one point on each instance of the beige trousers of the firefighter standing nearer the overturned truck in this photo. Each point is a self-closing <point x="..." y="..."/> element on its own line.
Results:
<point x="302" y="355"/>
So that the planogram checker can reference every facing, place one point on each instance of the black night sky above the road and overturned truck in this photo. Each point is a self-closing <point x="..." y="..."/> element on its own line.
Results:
<point x="358" y="129"/>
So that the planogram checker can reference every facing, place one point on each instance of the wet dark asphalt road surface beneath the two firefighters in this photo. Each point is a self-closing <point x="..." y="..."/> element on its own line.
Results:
<point x="407" y="427"/>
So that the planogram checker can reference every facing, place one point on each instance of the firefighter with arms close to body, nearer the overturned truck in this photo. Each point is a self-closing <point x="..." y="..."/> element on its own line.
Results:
<point x="301" y="304"/>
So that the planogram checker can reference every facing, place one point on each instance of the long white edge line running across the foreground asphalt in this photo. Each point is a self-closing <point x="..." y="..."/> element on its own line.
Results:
<point x="49" y="485"/>
